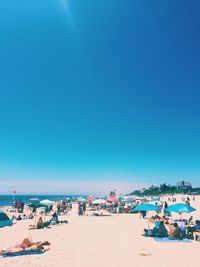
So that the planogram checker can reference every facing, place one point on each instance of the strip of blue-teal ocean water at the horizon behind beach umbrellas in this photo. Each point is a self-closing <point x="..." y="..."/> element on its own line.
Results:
<point x="6" y="200"/>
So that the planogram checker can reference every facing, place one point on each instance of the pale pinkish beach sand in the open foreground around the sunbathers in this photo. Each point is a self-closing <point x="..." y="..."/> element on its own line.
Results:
<point x="90" y="241"/>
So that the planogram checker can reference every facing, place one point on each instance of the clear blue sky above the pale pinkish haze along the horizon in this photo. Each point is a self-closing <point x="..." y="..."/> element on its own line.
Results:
<point x="99" y="90"/>
